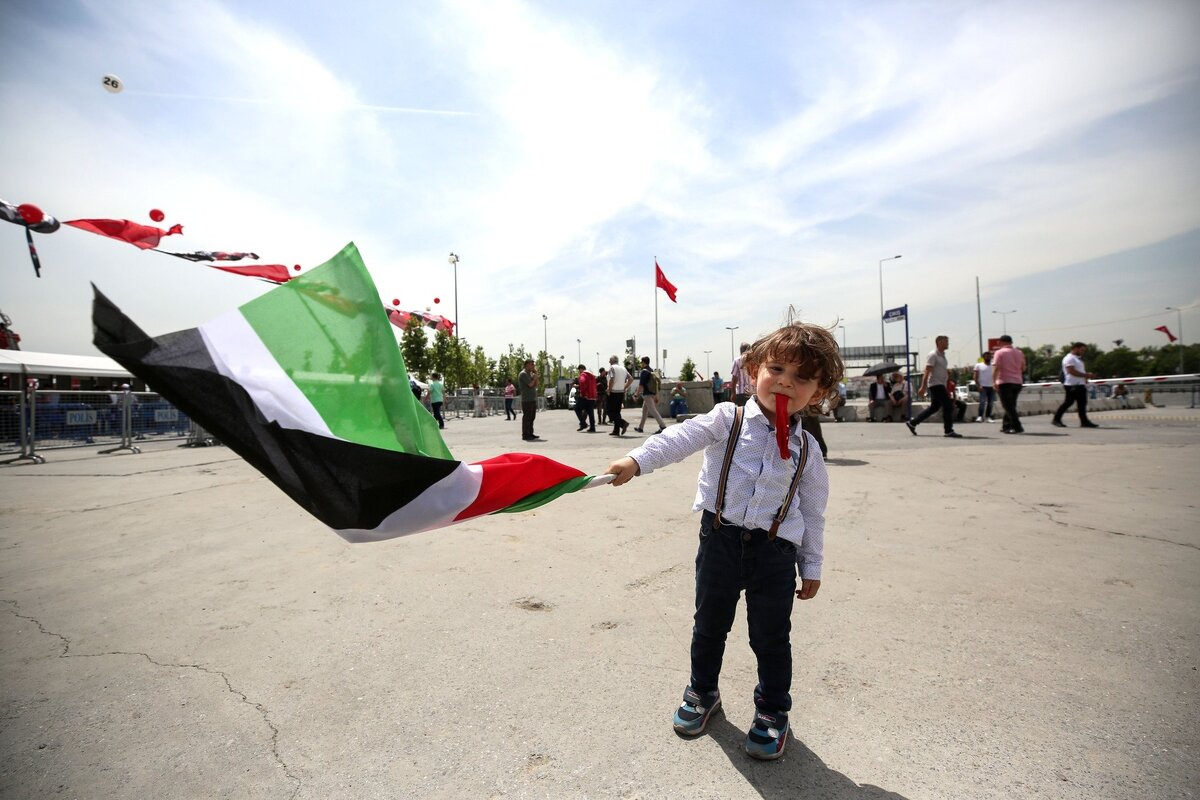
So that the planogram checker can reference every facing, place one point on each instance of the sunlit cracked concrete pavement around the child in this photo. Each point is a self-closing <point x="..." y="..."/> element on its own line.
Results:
<point x="1001" y="617"/>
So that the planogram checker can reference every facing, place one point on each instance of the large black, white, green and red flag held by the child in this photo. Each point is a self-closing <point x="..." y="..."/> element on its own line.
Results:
<point x="307" y="384"/>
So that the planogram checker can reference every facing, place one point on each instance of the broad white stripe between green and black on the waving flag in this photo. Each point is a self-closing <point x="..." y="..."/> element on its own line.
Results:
<point x="242" y="357"/>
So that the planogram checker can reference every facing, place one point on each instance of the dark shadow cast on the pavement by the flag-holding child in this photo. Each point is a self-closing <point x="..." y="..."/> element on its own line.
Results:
<point x="797" y="775"/>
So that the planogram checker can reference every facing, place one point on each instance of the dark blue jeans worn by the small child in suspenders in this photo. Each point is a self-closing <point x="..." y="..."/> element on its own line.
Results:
<point x="731" y="561"/>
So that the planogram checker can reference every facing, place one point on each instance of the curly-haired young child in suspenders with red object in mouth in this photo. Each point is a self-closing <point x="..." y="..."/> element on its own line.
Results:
<point x="754" y="532"/>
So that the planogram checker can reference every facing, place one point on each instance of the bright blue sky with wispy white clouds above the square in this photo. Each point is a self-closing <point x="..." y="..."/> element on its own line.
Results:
<point x="769" y="155"/>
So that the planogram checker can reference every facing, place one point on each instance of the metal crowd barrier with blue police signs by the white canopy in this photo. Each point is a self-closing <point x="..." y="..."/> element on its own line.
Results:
<point x="41" y="420"/>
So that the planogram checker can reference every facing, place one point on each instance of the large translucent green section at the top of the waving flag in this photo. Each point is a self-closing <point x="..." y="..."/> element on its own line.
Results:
<point x="328" y="330"/>
